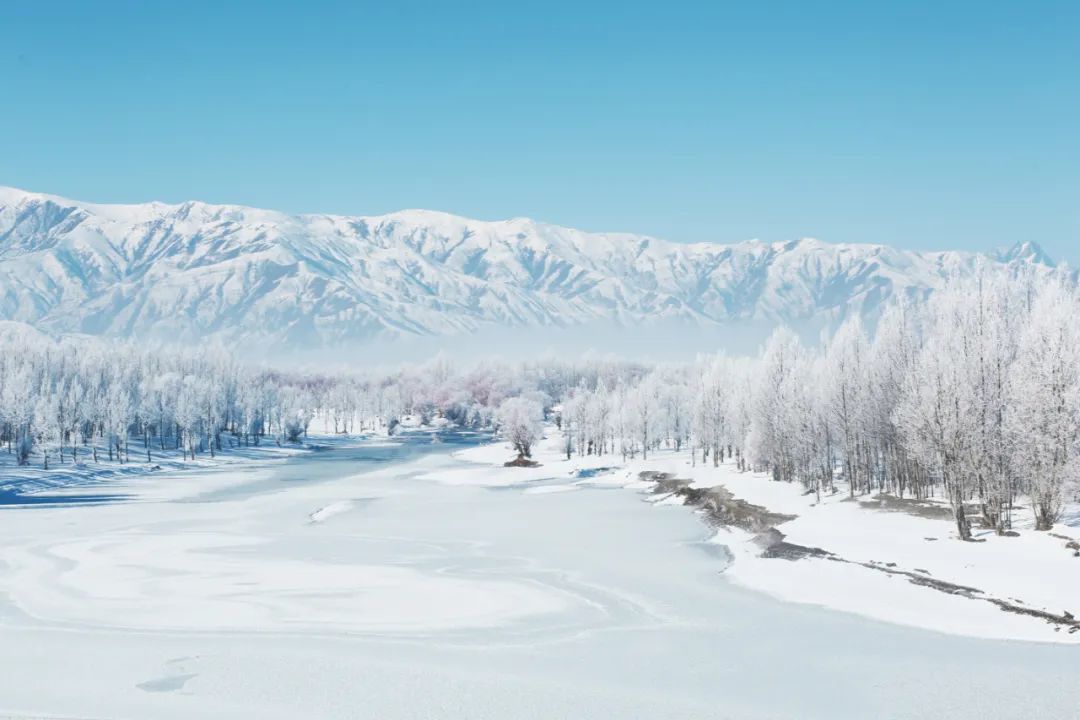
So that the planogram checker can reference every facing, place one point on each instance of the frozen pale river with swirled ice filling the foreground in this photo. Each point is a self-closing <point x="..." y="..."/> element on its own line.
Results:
<point x="337" y="585"/>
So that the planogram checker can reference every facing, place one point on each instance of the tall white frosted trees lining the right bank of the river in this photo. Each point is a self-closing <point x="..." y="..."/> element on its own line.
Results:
<point x="973" y="396"/>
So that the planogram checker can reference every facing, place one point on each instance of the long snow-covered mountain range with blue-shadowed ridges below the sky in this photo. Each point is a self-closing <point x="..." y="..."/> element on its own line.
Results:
<point x="194" y="270"/>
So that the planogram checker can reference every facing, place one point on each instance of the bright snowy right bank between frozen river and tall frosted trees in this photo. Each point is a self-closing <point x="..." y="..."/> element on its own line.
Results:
<point x="874" y="555"/>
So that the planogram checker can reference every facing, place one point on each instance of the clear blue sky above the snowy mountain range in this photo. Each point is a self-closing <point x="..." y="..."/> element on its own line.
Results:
<point x="921" y="125"/>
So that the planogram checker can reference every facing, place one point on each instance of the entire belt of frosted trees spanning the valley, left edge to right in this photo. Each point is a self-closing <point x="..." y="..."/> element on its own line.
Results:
<point x="973" y="396"/>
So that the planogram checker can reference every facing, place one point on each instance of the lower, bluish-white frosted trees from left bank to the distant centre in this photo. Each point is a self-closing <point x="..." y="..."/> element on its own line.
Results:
<point x="78" y="401"/>
